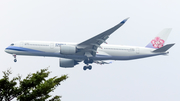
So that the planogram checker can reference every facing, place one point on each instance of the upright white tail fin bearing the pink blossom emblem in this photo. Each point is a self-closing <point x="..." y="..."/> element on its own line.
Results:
<point x="160" y="39"/>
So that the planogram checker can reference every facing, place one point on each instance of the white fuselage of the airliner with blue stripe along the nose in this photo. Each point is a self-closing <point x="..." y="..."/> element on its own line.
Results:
<point x="105" y="52"/>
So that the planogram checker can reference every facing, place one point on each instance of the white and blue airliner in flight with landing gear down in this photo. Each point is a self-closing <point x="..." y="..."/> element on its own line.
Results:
<point x="92" y="50"/>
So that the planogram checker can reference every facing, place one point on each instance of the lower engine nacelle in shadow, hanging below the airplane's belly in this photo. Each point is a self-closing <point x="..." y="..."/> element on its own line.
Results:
<point x="67" y="63"/>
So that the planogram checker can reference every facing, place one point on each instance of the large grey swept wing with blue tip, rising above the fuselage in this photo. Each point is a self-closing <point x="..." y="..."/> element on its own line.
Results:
<point x="89" y="47"/>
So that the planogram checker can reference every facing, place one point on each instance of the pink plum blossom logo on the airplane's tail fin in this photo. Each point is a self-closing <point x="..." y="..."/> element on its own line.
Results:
<point x="157" y="42"/>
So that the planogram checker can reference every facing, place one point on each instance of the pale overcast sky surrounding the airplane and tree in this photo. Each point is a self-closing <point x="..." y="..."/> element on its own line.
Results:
<point x="149" y="79"/>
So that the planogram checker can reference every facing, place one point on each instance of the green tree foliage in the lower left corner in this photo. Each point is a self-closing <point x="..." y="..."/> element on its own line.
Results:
<point x="35" y="87"/>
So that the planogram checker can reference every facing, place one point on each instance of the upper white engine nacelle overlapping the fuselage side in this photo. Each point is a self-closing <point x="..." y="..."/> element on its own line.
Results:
<point x="67" y="50"/>
